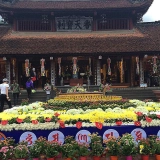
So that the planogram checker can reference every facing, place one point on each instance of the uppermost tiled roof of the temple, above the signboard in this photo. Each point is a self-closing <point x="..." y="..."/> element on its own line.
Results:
<point x="79" y="4"/>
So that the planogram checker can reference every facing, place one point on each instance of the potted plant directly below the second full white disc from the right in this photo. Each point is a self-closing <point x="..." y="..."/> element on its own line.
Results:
<point x="112" y="147"/>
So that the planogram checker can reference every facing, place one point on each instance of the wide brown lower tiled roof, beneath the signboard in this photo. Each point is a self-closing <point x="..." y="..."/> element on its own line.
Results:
<point x="142" y="39"/>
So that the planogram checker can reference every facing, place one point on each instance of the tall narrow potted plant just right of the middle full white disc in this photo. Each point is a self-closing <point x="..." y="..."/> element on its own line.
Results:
<point x="96" y="146"/>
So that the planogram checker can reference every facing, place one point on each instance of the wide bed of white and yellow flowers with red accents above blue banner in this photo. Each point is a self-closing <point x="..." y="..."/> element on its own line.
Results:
<point x="85" y="114"/>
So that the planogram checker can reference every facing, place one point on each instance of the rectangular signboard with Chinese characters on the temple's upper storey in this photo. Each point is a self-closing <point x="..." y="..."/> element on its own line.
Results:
<point x="74" y="23"/>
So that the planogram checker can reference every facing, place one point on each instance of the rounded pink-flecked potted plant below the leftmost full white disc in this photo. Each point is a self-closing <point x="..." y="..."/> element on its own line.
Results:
<point x="21" y="152"/>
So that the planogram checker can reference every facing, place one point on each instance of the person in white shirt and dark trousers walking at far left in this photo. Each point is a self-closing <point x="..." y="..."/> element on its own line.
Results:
<point x="4" y="87"/>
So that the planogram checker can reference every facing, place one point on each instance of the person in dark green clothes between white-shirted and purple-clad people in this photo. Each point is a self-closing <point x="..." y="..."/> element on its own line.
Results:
<point x="15" y="91"/>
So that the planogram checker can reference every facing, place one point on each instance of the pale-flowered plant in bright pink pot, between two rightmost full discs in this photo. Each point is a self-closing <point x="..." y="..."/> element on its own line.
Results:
<point x="128" y="146"/>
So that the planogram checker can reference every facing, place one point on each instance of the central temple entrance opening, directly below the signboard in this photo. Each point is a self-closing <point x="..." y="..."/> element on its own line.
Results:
<point x="74" y="70"/>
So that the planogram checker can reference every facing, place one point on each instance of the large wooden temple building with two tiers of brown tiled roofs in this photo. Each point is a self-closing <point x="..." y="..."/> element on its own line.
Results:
<point x="79" y="41"/>
